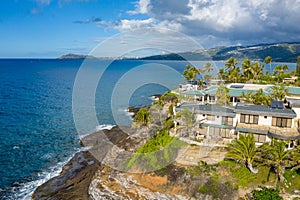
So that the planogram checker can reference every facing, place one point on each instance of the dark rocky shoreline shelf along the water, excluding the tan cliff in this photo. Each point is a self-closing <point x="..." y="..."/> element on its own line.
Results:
<point x="75" y="177"/>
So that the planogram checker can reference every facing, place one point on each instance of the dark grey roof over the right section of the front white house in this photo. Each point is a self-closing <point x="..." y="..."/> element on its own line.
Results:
<point x="264" y="110"/>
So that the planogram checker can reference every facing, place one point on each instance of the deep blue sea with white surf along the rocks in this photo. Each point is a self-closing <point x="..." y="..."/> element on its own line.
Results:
<point x="37" y="131"/>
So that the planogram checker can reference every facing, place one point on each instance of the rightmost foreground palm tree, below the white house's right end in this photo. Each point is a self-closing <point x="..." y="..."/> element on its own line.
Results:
<point x="278" y="157"/>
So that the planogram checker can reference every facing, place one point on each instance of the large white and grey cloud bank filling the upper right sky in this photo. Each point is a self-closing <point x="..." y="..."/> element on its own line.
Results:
<point x="223" y="21"/>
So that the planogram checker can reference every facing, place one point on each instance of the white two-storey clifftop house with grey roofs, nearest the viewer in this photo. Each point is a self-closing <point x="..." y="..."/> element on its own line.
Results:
<point x="265" y="122"/>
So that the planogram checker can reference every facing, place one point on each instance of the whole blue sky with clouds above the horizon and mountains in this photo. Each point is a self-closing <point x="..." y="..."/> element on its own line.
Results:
<point x="51" y="28"/>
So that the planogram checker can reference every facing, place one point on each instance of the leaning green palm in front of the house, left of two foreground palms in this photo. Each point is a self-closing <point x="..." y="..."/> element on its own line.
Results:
<point x="243" y="150"/>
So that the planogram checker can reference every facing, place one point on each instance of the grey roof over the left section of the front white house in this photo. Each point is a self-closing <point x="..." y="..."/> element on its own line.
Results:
<point x="208" y="109"/>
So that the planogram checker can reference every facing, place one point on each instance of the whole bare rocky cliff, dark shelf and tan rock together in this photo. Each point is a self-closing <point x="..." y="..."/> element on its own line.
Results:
<point x="92" y="174"/>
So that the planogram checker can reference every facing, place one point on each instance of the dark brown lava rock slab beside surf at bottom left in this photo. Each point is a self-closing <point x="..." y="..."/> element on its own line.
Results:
<point x="73" y="181"/>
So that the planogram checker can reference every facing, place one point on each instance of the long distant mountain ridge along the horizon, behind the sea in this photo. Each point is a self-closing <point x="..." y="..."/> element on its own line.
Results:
<point x="280" y="52"/>
